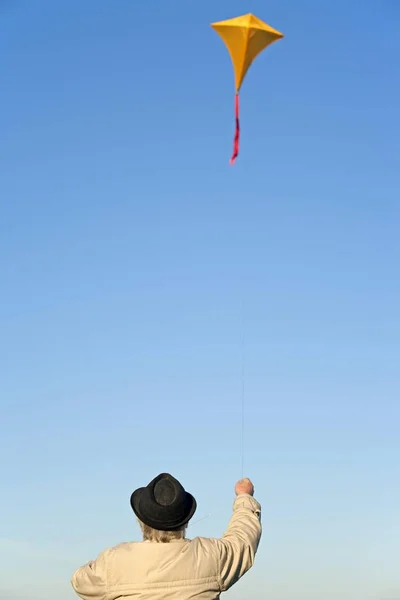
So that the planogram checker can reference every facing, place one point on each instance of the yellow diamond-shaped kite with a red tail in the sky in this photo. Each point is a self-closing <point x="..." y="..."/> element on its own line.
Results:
<point x="245" y="37"/>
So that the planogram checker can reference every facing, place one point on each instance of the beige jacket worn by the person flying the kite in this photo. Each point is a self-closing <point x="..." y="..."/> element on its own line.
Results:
<point x="201" y="568"/>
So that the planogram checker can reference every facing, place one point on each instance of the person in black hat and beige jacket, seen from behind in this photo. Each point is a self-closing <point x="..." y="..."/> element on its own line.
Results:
<point x="167" y="565"/>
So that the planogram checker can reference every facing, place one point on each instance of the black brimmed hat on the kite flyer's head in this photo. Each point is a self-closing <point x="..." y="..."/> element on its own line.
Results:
<point x="163" y="504"/>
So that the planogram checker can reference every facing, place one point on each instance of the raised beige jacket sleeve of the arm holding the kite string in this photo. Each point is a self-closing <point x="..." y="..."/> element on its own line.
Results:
<point x="238" y="546"/>
